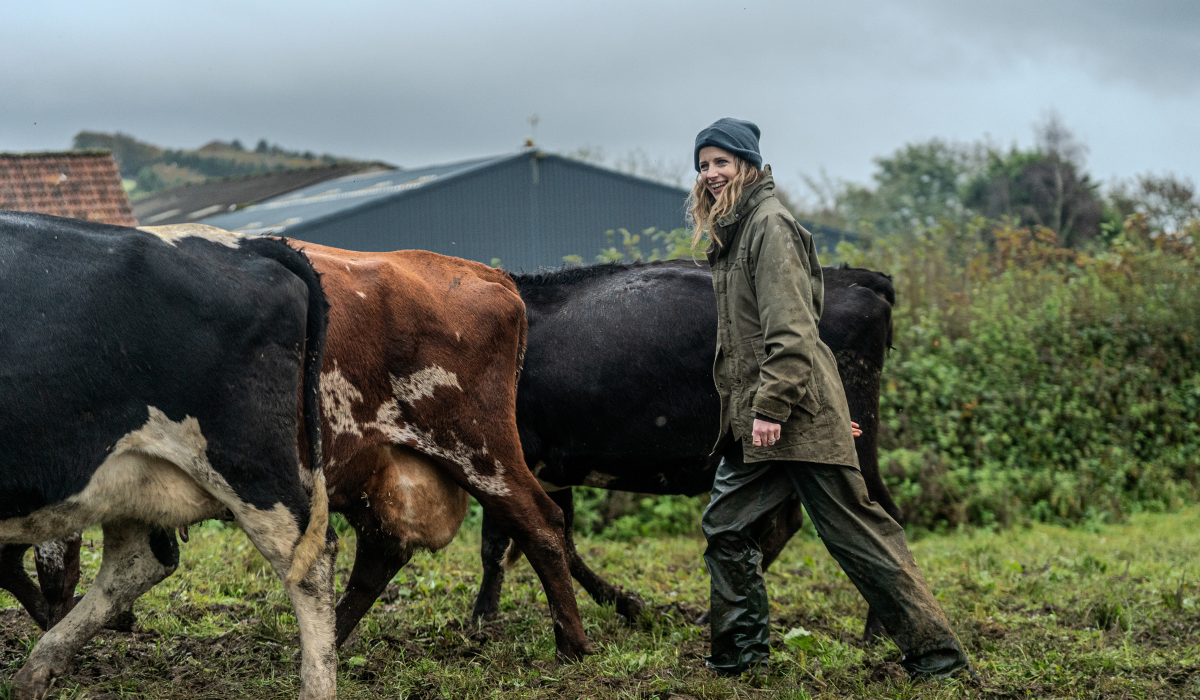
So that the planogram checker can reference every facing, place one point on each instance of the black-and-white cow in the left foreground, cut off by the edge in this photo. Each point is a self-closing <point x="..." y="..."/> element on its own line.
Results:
<point x="152" y="381"/>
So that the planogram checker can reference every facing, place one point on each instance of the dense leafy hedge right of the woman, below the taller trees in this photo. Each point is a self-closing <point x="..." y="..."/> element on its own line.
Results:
<point x="1036" y="382"/>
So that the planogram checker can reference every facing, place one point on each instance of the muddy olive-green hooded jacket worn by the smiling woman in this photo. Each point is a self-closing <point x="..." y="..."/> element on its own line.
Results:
<point x="770" y="358"/>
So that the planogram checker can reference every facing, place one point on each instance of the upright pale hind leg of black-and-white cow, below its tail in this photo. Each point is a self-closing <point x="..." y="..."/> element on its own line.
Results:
<point x="277" y="534"/>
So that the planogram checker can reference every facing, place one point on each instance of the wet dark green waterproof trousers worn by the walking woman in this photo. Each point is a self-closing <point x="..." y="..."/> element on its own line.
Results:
<point x="869" y="546"/>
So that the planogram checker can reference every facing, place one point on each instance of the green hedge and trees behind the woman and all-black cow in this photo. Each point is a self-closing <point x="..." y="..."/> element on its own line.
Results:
<point x="1047" y="364"/>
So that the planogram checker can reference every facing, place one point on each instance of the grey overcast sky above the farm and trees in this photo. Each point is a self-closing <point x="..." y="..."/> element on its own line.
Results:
<point x="832" y="85"/>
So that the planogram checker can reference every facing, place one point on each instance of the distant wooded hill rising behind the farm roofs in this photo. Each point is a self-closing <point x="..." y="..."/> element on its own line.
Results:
<point x="149" y="169"/>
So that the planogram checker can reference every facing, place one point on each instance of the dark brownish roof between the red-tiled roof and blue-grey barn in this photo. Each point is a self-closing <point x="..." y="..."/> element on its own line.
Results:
<point x="203" y="200"/>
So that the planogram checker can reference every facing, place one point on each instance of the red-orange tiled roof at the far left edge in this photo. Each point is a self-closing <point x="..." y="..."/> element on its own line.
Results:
<point x="77" y="184"/>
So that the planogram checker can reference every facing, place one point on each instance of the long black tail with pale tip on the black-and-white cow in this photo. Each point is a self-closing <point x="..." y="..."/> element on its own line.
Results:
<point x="313" y="542"/>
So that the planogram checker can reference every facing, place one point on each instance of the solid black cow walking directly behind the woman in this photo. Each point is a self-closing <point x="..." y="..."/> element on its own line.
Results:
<point x="617" y="392"/>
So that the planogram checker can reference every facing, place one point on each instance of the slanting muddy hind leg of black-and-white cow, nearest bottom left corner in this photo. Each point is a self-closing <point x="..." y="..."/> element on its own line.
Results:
<point x="136" y="558"/>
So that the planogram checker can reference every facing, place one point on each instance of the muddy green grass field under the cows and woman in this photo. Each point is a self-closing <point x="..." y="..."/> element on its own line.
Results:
<point x="1043" y="612"/>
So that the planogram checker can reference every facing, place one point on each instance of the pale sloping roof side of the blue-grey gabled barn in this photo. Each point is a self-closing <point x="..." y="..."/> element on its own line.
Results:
<point x="332" y="198"/>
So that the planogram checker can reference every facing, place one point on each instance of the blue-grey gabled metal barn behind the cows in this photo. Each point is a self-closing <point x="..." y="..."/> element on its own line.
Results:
<point x="529" y="210"/>
